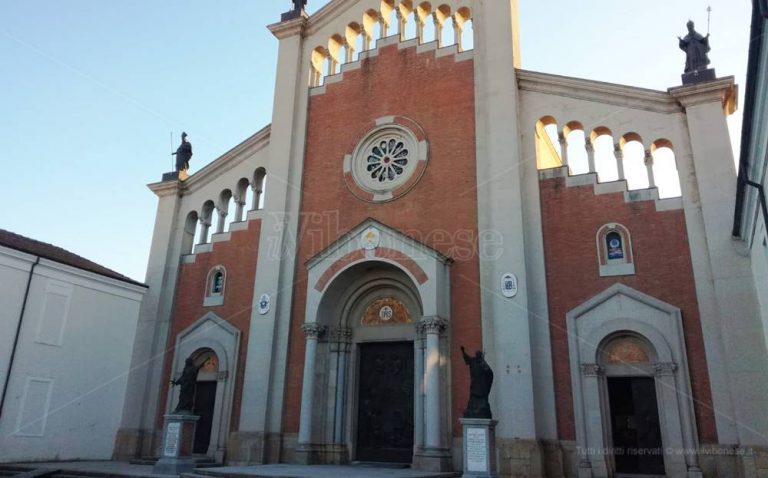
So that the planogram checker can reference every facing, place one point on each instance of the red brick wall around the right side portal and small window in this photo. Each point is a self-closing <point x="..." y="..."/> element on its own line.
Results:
<point x="571" y="218"/>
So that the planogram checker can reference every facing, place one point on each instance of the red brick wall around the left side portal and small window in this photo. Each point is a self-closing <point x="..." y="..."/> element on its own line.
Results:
<point x="238" y="256"/>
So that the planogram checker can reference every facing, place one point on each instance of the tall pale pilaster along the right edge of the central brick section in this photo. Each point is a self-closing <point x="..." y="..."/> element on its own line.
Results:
<point x="505" y="322"/>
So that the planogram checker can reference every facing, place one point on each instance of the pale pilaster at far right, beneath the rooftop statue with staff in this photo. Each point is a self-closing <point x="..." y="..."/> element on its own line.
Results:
<point x="725" y="287"/>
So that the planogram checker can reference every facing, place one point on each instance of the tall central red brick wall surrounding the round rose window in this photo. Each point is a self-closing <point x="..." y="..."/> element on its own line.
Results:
<point x="441" y="209"/>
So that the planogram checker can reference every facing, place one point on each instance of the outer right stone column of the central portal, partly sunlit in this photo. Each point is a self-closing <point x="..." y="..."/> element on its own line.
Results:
<point x="434" y="457"/>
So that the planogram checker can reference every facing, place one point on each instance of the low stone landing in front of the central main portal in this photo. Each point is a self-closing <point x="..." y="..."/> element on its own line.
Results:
<point x="327" y="471"/>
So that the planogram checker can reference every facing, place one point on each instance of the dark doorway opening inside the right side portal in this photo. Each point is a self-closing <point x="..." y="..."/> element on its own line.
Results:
<point x="637" y="447"/>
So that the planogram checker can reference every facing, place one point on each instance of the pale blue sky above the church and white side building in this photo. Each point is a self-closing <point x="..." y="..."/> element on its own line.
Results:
<point x="91" y="90"/>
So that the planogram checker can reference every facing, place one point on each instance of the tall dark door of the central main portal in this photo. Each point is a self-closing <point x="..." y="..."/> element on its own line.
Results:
<point x="385" y="403"/>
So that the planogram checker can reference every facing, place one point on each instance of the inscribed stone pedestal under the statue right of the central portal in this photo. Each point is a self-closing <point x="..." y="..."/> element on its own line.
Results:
<point x="479" y="448"/>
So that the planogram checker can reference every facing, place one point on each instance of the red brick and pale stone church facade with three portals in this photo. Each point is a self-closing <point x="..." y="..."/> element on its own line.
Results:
<point x="417" y="192"/>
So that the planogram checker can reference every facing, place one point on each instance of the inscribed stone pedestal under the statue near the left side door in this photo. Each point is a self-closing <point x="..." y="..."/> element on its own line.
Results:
<point x="178" y="441"/>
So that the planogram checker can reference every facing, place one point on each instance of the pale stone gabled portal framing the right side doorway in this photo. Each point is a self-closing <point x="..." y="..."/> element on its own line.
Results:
<point x="624" y="339"/>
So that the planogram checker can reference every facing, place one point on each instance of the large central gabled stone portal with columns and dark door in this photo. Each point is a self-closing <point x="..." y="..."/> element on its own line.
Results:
<point x="376" y="380"/>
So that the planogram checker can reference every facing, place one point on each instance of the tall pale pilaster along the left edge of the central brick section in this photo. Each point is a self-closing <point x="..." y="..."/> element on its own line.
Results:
<point x="265" y="365"/>
